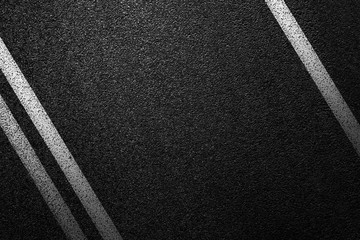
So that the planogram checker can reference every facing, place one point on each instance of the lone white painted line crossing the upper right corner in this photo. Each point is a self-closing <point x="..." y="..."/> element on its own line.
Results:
<point x="317" y="71"/>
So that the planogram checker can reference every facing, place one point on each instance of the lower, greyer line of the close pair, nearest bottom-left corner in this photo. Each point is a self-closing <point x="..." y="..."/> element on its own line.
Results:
<point x="37" y="172"/>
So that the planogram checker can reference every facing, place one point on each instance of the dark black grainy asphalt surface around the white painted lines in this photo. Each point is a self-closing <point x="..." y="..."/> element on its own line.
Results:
<point x="189" y="119"/>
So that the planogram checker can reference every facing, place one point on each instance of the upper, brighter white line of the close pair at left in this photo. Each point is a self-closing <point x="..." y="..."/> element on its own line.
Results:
<point x="56" y="145"/>
